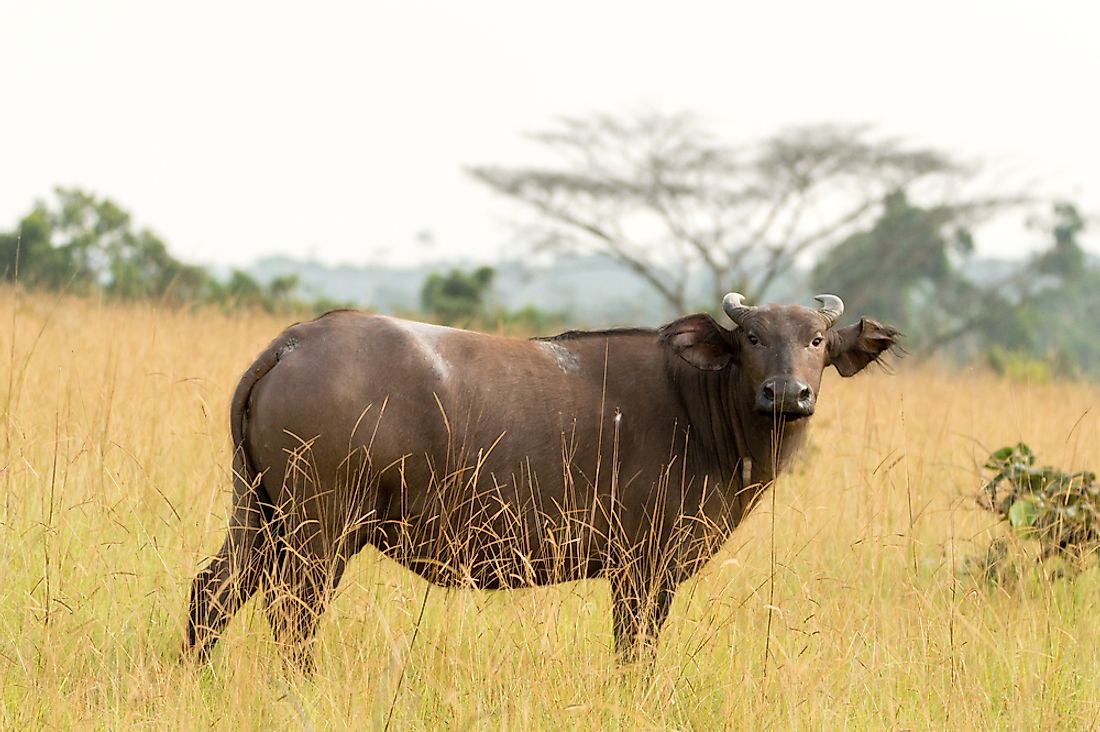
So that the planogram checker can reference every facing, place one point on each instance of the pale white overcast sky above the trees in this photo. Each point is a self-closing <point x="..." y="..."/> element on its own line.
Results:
<point x="340" y="130"/>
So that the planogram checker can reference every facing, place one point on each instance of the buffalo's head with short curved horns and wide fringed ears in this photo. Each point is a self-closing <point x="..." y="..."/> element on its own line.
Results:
<point x="779" y="352"/>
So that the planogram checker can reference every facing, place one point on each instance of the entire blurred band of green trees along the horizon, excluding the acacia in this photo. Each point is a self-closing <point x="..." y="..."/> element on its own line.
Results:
<point x="909" y="267"/>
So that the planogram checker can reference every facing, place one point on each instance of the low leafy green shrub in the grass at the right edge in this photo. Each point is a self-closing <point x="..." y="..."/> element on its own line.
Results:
<point x="1061" y="510"/>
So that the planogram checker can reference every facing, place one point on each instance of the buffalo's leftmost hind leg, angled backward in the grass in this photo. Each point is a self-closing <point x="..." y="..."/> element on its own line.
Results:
<point x="234" y="575"/>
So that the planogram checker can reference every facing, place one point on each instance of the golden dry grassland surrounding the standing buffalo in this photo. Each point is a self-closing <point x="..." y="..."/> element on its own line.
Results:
<point x="115" y="484"/>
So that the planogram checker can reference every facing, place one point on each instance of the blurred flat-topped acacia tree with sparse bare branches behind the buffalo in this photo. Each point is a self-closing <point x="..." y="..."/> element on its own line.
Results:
<point x="659" y="194"/>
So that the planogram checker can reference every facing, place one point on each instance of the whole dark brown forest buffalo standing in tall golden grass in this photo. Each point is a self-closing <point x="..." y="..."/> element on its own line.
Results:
<point x="493" y="463"/>
